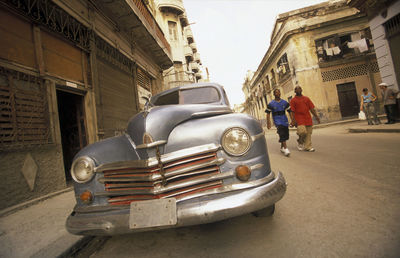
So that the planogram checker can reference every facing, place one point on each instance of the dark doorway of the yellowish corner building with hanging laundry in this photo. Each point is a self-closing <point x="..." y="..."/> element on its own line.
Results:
<point x="348" y="99"/>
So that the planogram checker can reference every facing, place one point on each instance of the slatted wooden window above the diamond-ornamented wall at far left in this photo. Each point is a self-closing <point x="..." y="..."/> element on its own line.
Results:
<point x="24" y="114"/>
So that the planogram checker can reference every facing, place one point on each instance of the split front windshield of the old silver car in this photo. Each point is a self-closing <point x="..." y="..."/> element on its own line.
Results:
<point x="201" y="95"/>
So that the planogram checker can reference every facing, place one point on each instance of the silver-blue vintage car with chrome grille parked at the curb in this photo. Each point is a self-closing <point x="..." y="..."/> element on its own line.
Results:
<point x="186" y="159"/>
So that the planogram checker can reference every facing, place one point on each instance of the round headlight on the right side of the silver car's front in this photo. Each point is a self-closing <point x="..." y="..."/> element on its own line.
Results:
<point x="236" y="141"/>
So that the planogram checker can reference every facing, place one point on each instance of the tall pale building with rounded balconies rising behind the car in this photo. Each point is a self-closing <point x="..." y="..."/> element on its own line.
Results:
<point x="173" y="20"/>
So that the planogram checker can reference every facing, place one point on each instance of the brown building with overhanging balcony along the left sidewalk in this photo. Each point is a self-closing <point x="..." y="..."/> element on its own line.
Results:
<point x="70" y="73"/>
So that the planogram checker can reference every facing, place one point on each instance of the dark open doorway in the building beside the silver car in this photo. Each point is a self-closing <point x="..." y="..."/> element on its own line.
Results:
<point x="72" y="126"/>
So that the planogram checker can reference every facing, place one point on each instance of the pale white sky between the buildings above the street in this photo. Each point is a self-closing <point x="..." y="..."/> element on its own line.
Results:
<point x="232" y="36"/>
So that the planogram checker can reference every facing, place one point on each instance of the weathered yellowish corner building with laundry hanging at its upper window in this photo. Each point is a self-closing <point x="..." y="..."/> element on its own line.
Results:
<point x="328" y="50"/>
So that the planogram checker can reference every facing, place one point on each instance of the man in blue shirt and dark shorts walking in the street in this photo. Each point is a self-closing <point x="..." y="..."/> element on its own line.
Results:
<point x="278" y="107"/>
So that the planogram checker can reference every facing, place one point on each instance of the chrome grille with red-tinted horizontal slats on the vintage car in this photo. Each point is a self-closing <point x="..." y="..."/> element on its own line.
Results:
<point x="183" y="176"/>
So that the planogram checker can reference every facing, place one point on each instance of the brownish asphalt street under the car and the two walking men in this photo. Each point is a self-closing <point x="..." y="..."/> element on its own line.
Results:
<point x="342" y="201"/>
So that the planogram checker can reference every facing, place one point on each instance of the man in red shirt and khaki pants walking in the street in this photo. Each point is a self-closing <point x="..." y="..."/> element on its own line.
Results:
<point x="301" y="107"/>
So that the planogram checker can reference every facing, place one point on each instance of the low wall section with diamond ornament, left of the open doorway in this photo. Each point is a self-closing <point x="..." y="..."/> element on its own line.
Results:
<point x="30" y="173"/>
